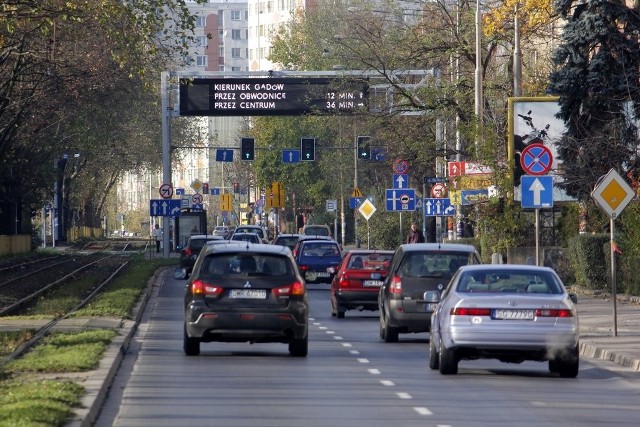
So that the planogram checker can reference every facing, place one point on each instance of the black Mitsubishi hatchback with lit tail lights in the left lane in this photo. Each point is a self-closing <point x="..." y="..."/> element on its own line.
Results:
<point x="241" y="292"/>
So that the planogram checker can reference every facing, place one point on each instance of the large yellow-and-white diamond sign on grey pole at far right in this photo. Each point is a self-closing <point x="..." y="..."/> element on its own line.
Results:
<point x="613" y="194"/>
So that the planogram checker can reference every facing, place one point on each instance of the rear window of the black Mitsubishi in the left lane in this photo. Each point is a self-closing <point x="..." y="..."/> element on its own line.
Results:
<point x="219" y="265"/>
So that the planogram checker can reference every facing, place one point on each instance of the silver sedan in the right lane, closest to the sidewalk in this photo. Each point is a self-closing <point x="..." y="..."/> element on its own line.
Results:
<point x="507" y="312"/>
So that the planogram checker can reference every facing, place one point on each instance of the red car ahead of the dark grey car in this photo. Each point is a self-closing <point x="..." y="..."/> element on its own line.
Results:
<point x="357" y="280"/>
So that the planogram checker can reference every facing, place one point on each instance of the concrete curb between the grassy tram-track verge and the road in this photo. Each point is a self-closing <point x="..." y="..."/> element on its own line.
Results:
<point x="99" y="382"/>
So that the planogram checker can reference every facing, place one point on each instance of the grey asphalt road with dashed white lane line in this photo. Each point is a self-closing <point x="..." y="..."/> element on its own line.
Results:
<point x="350" y="378"/>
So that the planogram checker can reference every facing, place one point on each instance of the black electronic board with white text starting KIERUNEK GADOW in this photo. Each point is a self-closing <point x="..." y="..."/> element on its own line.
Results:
<point x="272" y="96"/>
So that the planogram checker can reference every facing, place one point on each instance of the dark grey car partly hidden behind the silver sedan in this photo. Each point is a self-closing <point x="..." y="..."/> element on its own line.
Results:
<point x="416" y="270"/>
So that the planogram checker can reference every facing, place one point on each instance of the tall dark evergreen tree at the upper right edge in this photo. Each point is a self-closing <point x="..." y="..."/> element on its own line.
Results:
<point x="598" y="82"/>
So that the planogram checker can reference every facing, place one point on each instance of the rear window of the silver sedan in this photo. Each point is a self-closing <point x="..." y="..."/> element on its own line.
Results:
<point x="509" y="282"/>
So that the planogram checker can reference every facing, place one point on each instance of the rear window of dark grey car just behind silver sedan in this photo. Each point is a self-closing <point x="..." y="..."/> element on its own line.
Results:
<point x="433" y="264"/>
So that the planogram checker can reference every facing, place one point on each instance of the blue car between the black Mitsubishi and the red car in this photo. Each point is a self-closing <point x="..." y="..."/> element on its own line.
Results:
<point x="314" y="256"/>
